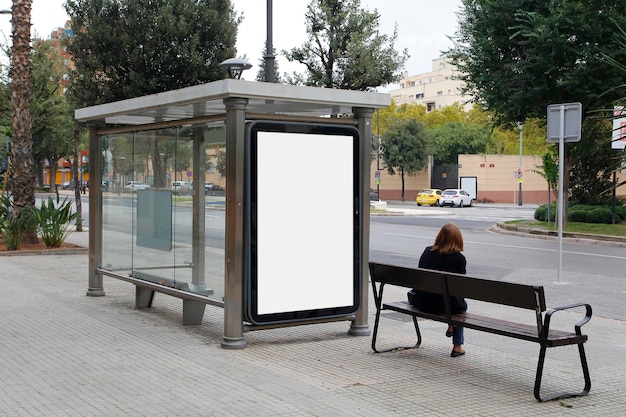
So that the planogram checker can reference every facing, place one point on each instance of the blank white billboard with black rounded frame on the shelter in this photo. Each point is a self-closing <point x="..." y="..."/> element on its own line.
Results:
<point x="304" y="240"/>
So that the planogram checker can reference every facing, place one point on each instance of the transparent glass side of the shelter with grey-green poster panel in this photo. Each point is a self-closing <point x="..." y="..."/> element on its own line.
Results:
<point x="147" y="223"/>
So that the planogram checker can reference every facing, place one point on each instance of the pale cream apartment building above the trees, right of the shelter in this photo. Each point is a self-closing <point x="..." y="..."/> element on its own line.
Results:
<point x="435" y="89"/>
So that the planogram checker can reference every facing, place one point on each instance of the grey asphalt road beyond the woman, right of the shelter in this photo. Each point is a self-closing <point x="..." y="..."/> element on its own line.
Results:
<point x="591" y="273"/>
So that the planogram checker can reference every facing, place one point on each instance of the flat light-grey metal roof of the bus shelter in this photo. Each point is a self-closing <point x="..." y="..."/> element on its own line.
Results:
<point x="207" y="100"/>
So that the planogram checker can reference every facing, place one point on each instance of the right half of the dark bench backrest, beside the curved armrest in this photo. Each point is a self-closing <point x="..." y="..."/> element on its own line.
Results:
<point x="506" y="293"/>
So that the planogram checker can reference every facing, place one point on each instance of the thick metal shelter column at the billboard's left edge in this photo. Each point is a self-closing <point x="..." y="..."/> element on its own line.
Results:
<point x="235" y="262"/>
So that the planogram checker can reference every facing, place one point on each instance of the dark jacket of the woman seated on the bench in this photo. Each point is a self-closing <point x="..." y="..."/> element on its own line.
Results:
<point x="433" y="303"/>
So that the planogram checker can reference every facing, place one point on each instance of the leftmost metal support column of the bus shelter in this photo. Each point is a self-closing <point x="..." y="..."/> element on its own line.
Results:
<point x="96" y="288"/>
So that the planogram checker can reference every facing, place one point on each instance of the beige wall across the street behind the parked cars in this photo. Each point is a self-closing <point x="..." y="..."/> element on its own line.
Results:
<point x="496" y="181"/>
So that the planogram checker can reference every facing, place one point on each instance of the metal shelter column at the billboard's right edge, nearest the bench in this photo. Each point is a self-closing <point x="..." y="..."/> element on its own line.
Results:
<point x="359" y="326"/>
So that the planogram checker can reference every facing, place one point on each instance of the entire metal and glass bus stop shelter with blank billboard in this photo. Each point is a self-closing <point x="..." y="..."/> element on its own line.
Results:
<point x="285" y="239"/>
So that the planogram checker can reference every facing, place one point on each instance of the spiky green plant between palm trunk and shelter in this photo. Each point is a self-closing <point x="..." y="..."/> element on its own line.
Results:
<point x="53" y="220"/>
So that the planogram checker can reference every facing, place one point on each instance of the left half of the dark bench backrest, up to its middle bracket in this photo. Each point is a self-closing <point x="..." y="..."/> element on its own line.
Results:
<point x="417" y="278"/>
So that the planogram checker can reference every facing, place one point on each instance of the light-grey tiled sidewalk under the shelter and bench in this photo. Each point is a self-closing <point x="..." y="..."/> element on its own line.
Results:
<point x="65" y="354"/>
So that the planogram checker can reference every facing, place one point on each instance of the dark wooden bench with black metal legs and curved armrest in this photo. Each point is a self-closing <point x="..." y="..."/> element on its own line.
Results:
<point x="527" y="297"/>
